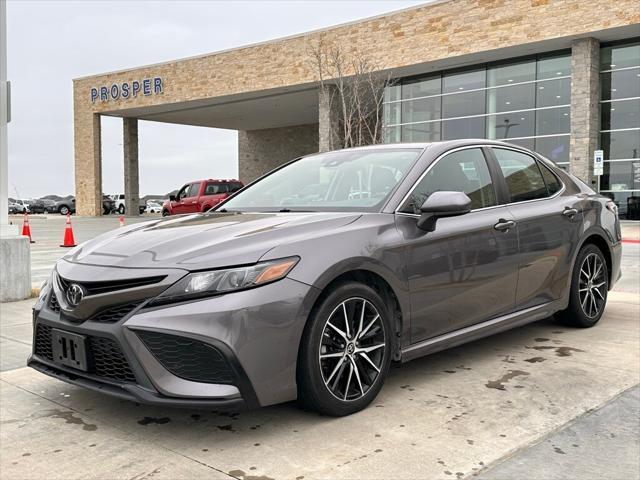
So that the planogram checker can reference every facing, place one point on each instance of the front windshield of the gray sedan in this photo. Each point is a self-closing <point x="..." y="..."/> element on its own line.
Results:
<point x="348" y="180"/>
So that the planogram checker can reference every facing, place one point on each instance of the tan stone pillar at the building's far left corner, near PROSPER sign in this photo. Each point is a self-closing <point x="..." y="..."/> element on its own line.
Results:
<point x="88" y="160"/>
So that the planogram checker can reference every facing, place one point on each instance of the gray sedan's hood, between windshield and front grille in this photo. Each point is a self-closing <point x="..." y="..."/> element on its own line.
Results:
<point x="204" y="241"/>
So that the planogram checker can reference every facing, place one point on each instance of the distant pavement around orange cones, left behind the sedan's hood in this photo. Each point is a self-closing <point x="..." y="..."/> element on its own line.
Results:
<point x="48" y="232"/>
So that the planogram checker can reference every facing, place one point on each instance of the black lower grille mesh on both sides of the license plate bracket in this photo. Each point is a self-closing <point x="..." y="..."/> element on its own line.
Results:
<point x="108" y="359"/>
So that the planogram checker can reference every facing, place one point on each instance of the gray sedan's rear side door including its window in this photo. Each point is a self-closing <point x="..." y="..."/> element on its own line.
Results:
<point x="548" y="225"/>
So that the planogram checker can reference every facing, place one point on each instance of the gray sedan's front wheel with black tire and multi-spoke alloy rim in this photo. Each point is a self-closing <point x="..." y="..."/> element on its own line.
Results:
<point x="345" y="351"/>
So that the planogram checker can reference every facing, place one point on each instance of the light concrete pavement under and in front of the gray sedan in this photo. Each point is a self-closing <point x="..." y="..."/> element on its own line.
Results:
<point x="449" y="415"/>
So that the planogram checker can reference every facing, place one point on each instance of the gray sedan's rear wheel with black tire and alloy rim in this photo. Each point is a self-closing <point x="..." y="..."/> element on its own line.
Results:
<point x="589" y="288"/>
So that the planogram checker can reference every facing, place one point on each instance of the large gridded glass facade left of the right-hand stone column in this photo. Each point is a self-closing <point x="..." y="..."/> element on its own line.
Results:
<point x="525" y="101"/>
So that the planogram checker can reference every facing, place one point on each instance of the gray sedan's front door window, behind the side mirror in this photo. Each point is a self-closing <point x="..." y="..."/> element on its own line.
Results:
<point x="462" y="171"/>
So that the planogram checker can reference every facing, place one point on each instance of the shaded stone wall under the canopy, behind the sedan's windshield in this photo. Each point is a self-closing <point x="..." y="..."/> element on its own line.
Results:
<point x="260" y="151"/>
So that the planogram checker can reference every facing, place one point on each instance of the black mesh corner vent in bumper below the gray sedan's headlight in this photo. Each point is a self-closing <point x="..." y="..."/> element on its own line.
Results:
<point x="187" y="358"/>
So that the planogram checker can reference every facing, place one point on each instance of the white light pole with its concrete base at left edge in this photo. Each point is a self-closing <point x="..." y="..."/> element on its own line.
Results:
<point x="15" y="253"/>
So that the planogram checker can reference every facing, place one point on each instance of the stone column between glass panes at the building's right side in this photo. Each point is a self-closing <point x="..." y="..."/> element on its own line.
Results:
<point x="585" y="107"/>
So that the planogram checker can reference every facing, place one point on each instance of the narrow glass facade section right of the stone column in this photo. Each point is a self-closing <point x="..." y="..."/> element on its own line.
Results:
<point x="620" y="126"/>
